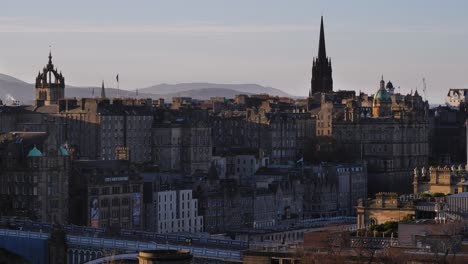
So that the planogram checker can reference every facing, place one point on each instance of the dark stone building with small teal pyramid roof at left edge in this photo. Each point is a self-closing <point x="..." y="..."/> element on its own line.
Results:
<point x="34" y="178"/>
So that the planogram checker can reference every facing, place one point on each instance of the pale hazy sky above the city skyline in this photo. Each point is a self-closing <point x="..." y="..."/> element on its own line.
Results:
<point x="266" y="42"/>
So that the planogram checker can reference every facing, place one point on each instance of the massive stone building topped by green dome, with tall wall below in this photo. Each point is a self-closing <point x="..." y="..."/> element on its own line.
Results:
<point x="389" y="131"/>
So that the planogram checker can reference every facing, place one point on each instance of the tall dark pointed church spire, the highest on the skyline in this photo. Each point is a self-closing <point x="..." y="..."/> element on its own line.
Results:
<point x="322" y="81"/>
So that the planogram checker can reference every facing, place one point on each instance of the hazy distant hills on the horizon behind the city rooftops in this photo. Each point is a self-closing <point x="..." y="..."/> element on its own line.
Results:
<point x="15" y="89"/>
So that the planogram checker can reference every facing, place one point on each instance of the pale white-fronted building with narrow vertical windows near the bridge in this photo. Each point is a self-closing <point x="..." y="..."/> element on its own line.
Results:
<point x="176" y="211"/>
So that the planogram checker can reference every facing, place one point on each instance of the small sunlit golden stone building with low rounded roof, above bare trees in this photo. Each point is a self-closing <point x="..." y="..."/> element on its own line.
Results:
<point x="384" y="208"/>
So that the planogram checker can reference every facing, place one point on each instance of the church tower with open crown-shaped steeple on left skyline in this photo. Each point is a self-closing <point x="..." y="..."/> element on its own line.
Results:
<point x="50" y="85"/>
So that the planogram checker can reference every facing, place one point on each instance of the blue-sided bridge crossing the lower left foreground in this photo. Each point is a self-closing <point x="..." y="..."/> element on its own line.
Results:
<point x="32" y="246"/>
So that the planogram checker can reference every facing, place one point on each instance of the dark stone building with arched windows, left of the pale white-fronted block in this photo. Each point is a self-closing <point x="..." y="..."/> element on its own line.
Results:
<point x="106" y="194"/>
